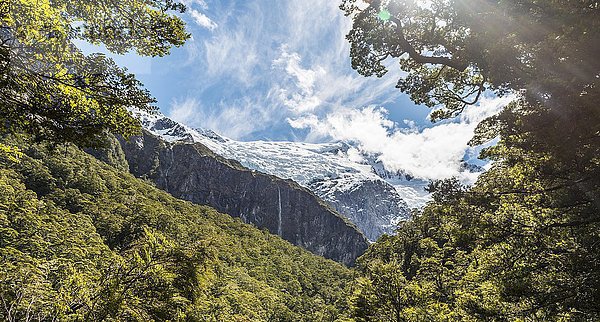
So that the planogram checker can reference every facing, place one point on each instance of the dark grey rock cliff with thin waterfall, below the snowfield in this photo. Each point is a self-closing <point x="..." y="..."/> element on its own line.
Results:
<point x="192" y="172"/>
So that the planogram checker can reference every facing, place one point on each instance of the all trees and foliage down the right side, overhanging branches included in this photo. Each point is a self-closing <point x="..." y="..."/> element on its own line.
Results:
<point x="522" y="243"/>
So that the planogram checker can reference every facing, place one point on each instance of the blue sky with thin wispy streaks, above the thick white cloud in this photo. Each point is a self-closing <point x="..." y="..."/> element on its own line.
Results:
<point x="253" y="65"/>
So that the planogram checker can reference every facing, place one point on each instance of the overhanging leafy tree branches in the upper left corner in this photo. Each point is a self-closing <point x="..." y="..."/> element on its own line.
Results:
<point x="50" y="89"/>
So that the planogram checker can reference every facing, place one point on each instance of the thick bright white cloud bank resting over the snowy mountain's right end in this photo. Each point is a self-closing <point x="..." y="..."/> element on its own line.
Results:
<point x="433" y="153"/>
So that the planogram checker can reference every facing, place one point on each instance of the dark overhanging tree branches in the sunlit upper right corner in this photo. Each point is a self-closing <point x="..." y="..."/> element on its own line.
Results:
<point x="454" y="50"/>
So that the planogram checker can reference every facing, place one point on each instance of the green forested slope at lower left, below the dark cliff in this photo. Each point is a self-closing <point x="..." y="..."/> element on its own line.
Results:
<point x="80" y="240"/>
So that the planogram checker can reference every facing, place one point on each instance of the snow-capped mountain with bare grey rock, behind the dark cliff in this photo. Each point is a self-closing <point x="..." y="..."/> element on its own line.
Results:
<point x="356" y="185"/>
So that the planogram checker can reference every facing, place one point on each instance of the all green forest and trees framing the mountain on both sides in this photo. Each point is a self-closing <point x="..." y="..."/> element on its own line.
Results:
<point x="83" y="240"/>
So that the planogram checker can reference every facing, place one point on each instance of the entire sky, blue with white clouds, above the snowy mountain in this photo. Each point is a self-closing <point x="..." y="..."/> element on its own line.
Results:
<point x="281" y="70"/>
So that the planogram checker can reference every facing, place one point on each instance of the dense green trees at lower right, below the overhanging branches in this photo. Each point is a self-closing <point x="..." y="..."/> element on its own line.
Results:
<point x="522" y="244"/>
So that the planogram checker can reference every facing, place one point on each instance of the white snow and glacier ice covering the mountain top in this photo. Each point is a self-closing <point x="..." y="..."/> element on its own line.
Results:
<point x="305" y="163"/>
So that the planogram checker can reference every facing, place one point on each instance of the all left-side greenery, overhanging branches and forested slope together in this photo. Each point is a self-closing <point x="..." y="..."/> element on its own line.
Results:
<point x="83" y="241"/>
